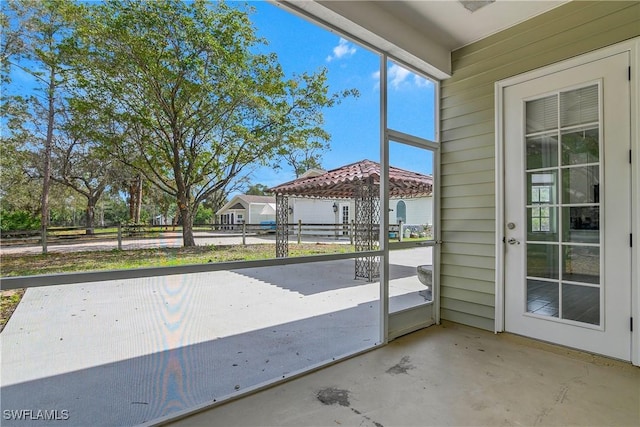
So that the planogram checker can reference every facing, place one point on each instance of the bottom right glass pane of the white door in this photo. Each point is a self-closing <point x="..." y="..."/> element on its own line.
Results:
<point x="581" y="303"/>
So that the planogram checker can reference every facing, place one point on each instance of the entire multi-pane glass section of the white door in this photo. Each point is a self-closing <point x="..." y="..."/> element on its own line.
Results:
<point x="563" y="205"/>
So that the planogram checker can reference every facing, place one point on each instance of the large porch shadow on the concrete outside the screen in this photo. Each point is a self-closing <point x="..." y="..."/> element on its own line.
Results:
<point x="141" y="389"/>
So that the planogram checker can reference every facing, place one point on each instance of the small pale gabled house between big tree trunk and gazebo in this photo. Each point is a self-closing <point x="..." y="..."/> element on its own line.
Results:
<point x="248" y="209"/>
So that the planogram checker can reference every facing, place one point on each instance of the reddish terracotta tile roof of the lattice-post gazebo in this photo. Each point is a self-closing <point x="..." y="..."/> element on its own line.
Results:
<point x="341" y="182"/>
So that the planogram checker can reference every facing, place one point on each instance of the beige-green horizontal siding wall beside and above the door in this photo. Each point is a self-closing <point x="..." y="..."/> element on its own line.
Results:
<point x="468" y="138"/>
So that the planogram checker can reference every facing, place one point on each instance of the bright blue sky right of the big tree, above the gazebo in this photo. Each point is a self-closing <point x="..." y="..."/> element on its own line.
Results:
<point x="354" y="124"/>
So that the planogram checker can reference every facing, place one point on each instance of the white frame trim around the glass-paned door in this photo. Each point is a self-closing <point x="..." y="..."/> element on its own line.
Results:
<point x="633" y="48"/>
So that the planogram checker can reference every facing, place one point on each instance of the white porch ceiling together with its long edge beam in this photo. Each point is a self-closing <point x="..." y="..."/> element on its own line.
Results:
<point x="420" y="33"/>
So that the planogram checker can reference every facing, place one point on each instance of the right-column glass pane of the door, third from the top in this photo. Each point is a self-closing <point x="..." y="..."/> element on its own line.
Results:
<point x="581" y="185"/>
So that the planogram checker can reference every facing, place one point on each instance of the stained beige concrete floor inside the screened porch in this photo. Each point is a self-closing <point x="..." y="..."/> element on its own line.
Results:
<point x="448" y="375"/>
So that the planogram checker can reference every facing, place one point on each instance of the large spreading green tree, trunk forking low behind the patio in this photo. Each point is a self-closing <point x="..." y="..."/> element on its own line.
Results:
<point x="197" y="104"/>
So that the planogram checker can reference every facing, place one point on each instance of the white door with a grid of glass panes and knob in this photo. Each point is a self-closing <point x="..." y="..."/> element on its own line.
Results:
<point x="567" y="189"/>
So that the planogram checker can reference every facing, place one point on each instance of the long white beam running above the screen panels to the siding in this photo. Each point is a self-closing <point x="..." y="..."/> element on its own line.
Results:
<point x="368" y="24"/>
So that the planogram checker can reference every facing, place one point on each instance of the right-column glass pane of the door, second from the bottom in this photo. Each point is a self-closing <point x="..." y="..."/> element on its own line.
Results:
<point x="581" y="264"/>
